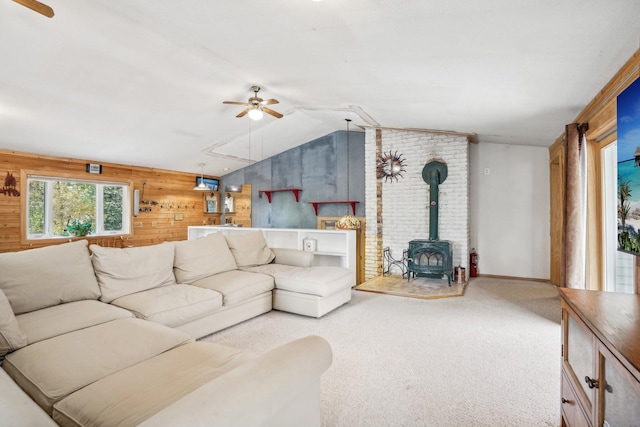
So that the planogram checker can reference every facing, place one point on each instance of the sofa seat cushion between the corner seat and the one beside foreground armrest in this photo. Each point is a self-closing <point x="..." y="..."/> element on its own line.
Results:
<point x="51" y="369"/>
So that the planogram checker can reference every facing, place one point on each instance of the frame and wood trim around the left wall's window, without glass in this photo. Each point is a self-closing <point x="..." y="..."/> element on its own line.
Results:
<point x="26" y="174"/>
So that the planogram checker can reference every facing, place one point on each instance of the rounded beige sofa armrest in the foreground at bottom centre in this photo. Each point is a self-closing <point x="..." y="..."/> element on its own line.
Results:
<point x="278" y="388"/>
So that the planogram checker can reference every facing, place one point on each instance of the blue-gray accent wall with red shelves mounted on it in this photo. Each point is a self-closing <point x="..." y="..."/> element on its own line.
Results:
<point x="319" y="168"/>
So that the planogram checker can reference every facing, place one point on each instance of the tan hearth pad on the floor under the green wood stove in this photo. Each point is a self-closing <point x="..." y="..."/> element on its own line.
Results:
<point x="417" y="287"/>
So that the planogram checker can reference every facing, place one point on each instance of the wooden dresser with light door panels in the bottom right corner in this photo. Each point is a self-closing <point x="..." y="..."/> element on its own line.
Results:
<point x="600" y="359"/>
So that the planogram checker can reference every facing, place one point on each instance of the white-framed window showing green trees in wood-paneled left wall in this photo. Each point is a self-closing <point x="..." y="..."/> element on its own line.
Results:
<point x="62" y="207"/>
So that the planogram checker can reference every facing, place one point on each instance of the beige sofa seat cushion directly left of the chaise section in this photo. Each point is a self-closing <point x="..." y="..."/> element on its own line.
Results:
<point x="237" y="286"/>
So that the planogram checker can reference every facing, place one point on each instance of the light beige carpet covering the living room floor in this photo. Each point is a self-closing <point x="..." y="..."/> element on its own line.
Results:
<point x="489" y="358"/>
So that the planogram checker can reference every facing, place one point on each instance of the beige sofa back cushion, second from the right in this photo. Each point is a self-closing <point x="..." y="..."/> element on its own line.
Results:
<point x="196" y="259"/>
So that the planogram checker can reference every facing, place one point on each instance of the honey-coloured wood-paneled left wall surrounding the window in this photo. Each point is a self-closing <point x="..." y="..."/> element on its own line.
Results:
<point x="173" y="192"/>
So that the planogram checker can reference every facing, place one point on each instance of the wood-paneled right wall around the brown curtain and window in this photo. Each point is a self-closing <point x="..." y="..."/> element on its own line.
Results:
<point x="601" y="114"/>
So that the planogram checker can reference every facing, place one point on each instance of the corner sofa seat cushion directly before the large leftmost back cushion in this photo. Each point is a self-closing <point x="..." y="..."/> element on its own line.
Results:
<point x="57" y="320"/>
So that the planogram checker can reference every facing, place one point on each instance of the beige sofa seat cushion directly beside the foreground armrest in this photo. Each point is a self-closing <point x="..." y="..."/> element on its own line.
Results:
<point x="136" y="393"/>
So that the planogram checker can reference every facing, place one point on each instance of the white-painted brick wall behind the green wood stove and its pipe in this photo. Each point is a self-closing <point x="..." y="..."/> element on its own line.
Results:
<point x="402" y="207"/>
